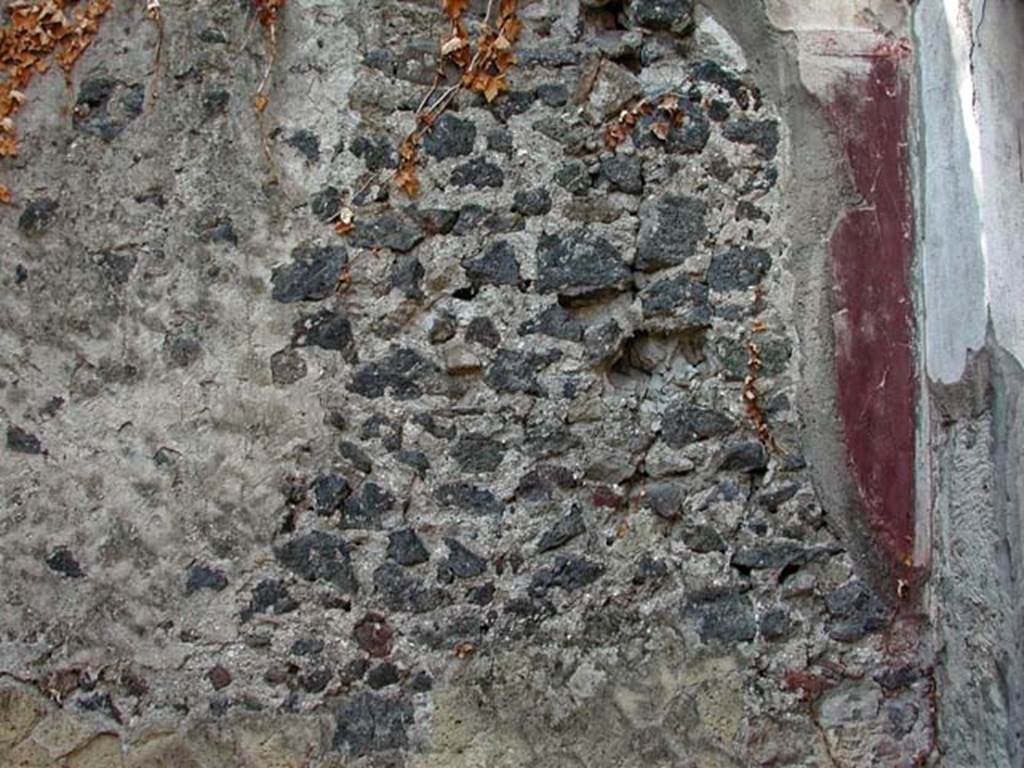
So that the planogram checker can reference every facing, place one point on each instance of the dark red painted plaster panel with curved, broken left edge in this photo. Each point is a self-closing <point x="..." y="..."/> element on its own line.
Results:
<point x="872" y="253"/>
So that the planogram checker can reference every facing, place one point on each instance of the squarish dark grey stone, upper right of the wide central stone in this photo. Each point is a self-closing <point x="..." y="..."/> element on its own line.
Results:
<point x="671" y="229"/>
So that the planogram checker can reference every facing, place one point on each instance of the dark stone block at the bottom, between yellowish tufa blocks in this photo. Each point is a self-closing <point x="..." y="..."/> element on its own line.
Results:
<point x="370" y="722"/>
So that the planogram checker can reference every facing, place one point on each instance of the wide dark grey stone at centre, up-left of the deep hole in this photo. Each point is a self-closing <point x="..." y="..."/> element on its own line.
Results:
<point x="579" y="266"/>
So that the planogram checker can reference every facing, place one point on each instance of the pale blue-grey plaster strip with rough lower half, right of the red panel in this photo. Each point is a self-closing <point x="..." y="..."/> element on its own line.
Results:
<point x="972" y="221"/>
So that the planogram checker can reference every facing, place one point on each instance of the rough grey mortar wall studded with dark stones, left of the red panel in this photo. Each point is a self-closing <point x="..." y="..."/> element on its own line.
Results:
<point x="475" y="486"/>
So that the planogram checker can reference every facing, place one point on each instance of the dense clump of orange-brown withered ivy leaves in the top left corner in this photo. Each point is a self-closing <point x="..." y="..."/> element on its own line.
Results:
<point x="36" y="35"/>
